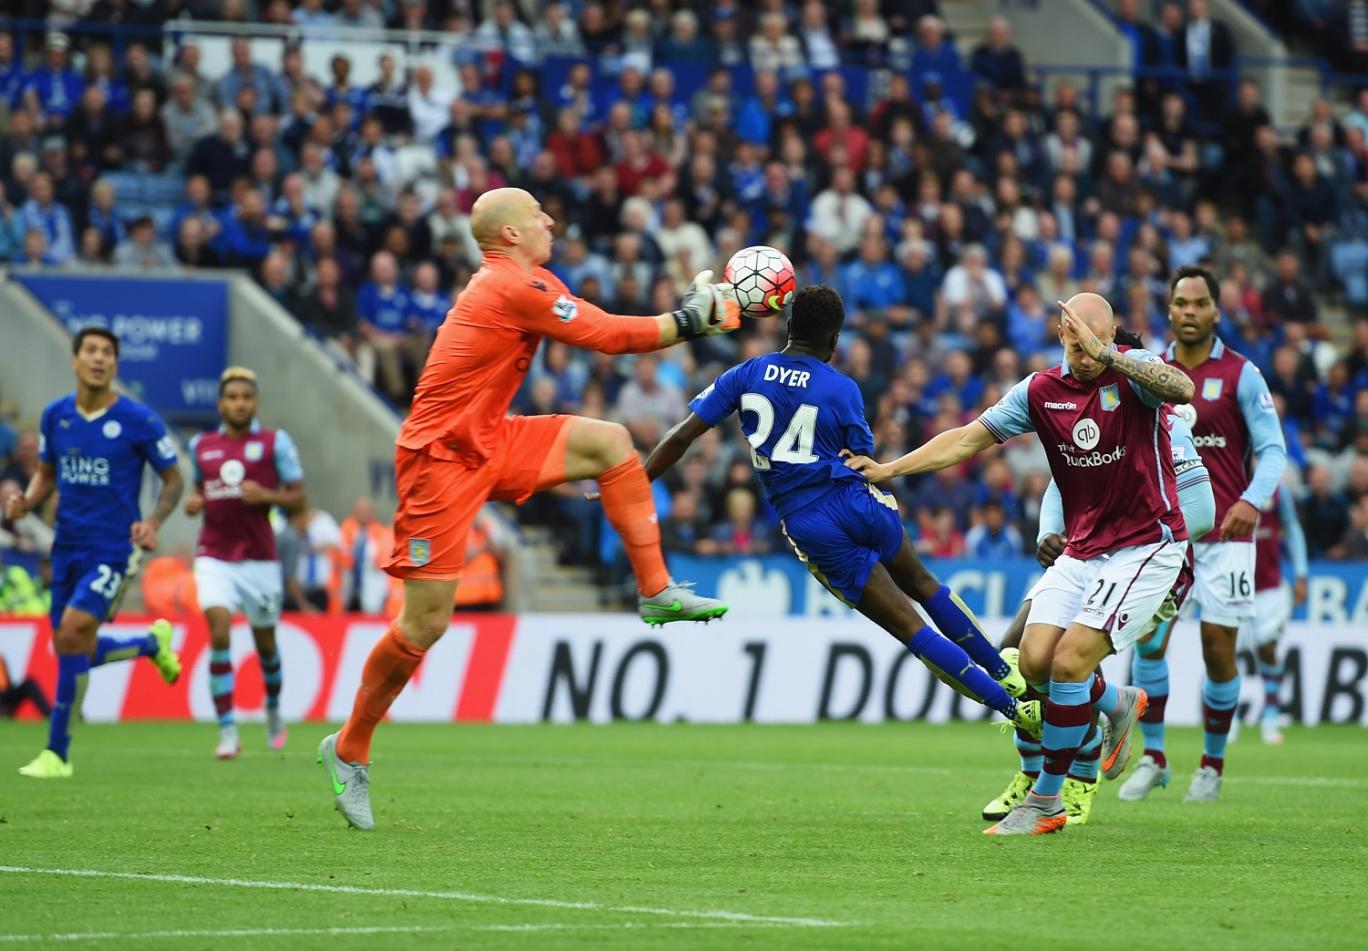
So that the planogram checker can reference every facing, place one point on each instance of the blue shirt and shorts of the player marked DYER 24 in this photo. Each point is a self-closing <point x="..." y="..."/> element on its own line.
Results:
<point x="798" y="415"/>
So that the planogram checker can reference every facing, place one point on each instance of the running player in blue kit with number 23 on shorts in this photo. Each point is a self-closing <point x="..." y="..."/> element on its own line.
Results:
<point x="94" y="445"/>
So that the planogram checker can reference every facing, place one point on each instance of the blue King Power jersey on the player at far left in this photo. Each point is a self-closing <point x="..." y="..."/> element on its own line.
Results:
<point x="99" y="467"/>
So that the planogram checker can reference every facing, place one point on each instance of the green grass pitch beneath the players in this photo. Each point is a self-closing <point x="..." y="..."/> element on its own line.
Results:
<point x="875" y="829"/>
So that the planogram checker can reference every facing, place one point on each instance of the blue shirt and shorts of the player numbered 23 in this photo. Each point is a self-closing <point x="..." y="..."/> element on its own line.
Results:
<point x="98" y="463"/>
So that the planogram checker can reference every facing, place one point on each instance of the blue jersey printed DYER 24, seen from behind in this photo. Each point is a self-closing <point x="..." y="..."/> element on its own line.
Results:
<point x="798" y="414"/>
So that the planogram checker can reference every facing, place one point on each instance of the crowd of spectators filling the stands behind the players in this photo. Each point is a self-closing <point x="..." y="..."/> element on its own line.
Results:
<point x="949" y="195"/>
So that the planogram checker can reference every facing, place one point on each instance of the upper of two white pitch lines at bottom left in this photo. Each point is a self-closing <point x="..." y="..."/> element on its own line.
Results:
<point x="441" y="896"/>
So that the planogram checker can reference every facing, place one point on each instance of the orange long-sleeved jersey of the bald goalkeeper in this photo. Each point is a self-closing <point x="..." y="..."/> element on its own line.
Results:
<point x="485" y="347"/>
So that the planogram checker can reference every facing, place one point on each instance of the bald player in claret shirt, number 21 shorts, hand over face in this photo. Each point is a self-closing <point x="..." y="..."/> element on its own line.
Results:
<point x="1102" y="421"/>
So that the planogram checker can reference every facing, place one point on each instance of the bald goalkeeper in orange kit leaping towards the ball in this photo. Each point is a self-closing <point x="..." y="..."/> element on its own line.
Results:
<point x="459" y="450"/>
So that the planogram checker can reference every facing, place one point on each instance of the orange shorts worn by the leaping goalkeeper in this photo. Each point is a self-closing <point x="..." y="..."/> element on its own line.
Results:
<point x="440" y="499"/>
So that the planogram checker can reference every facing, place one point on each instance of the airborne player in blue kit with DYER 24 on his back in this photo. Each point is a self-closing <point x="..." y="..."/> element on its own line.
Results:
<point x="800" y="417"/>
